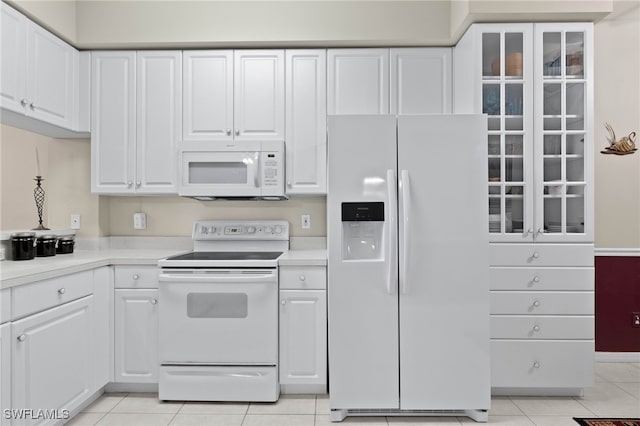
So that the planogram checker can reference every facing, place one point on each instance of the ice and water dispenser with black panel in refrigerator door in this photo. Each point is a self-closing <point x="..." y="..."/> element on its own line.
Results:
<point x="362" y="231"/>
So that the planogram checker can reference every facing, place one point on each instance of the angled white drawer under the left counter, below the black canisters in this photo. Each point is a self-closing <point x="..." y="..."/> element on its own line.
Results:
<point x="35" y="297"/>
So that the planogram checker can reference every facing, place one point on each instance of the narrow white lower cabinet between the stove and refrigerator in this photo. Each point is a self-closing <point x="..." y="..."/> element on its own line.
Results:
<point x="303" y="330"/>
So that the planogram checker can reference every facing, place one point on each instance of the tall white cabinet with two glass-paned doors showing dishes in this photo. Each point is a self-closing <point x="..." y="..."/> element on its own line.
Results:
<point x="536" y="89"/>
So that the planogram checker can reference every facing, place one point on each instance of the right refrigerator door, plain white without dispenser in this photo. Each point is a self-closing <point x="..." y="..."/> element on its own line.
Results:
<point x="444" y="295"/>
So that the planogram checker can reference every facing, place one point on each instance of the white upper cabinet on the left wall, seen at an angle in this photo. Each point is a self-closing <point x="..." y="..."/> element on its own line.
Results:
<point x="40" y="74"/>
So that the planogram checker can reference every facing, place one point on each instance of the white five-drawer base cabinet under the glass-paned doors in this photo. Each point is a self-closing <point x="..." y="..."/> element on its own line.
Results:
<point x="542" y="318"/>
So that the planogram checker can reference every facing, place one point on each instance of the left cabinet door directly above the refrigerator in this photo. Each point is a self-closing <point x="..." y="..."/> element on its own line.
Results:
<point x="358" y="81"/>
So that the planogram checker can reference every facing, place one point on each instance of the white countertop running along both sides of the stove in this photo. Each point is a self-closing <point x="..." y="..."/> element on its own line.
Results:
<point x="14" y="273"/>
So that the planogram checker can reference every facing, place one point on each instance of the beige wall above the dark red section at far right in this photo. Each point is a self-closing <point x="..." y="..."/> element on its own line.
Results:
<point x="617" y="101"/>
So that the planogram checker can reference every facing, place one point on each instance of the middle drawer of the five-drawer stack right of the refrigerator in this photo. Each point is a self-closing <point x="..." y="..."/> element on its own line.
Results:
<point x="542" y="303"/>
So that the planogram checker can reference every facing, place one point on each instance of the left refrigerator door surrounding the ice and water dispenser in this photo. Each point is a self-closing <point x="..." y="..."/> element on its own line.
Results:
<point x="363" y="300"/>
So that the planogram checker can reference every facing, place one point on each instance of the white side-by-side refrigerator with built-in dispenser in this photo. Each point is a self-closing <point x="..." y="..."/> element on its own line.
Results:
<point x="408" y="296"/>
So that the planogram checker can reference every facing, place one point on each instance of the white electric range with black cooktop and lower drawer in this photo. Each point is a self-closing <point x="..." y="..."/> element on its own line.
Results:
<point x="218" y="330"/>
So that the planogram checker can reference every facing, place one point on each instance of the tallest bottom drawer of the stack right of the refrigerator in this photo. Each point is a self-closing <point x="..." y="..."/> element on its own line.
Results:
<point x="541" y="364"/>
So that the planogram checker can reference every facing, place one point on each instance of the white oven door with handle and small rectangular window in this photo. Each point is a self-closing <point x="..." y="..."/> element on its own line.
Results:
<point x="218" y="316"/>
